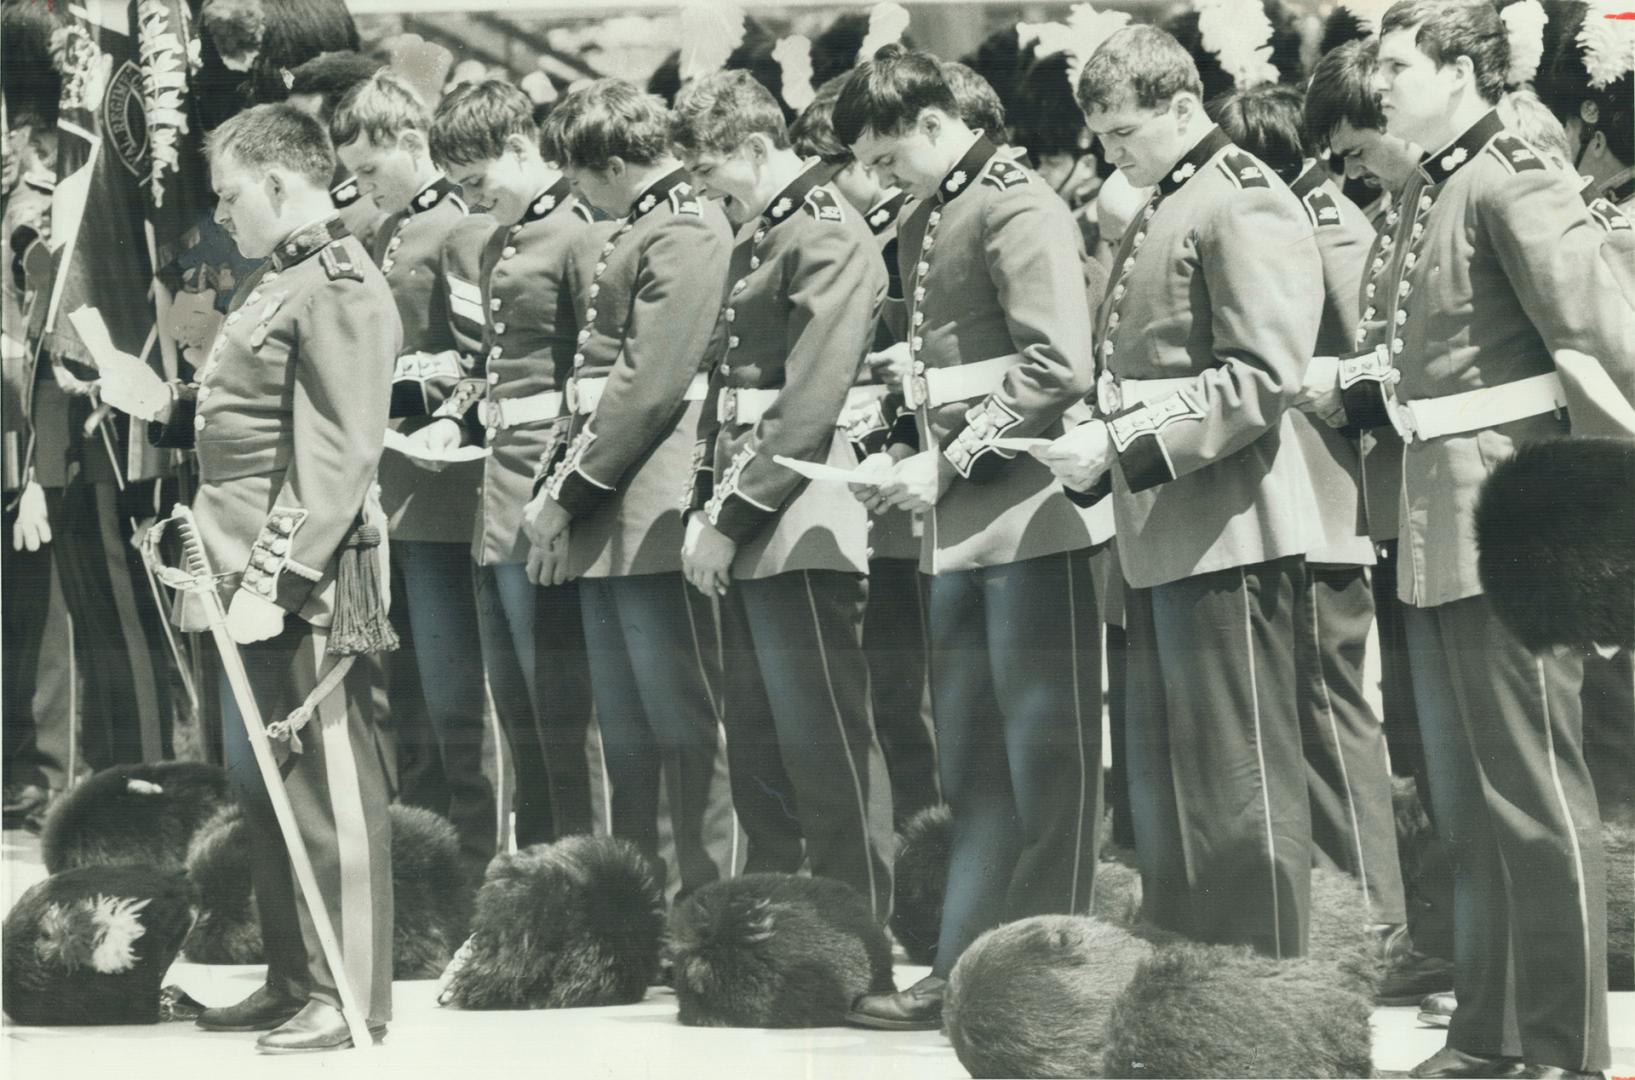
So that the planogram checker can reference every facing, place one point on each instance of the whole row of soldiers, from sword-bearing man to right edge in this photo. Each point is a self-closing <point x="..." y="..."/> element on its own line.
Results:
<point x="696" y="498"/>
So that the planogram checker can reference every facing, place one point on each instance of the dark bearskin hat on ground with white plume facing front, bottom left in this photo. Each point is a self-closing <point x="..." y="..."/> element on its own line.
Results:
<point x="94" y="944"/>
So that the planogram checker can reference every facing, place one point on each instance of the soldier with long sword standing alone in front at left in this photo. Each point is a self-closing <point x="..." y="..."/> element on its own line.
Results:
<point x="287" y="419"/>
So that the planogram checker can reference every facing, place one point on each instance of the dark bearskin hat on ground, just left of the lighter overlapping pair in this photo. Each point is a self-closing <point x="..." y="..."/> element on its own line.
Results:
<point x="776" y="952"/>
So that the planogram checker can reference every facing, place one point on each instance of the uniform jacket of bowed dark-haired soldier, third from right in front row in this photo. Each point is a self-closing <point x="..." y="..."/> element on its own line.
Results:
<point x="992" y="270"/>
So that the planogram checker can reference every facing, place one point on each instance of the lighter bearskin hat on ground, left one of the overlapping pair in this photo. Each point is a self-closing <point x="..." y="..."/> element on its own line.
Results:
<point x="1031" y="999"/>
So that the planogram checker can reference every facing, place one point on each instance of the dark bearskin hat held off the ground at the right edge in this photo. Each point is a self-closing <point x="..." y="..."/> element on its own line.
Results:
<point x="1556" y="532"/>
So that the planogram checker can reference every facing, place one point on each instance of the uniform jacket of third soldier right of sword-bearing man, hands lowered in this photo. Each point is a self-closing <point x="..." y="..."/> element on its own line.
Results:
<point x="648" y="300"/>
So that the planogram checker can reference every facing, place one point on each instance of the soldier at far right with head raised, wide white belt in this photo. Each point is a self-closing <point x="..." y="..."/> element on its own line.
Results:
<point x="1503" y="311"/>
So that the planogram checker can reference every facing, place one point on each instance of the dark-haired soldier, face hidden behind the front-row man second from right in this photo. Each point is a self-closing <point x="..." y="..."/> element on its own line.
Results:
<point x="1348" y="775"/>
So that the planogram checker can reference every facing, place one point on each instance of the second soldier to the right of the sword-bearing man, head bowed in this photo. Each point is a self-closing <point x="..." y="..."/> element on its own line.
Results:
<point x="509" y="292"/>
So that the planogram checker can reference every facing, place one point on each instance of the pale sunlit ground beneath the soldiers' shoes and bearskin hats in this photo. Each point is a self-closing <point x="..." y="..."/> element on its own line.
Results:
<point x="635" y="1042"/>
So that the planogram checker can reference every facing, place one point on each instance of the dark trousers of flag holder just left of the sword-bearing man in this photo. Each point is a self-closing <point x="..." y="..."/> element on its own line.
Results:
<point x="119" y="638"/>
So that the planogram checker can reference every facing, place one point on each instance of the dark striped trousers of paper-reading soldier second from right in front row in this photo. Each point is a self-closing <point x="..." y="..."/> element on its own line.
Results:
<point x="1217" y="775"/>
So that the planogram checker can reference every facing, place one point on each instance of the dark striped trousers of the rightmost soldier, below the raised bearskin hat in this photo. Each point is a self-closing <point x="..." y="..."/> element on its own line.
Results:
<point x="1515" y="805"/>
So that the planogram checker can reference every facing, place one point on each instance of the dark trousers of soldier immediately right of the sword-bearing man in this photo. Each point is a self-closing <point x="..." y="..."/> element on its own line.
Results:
<point x="439" y="684"/>
